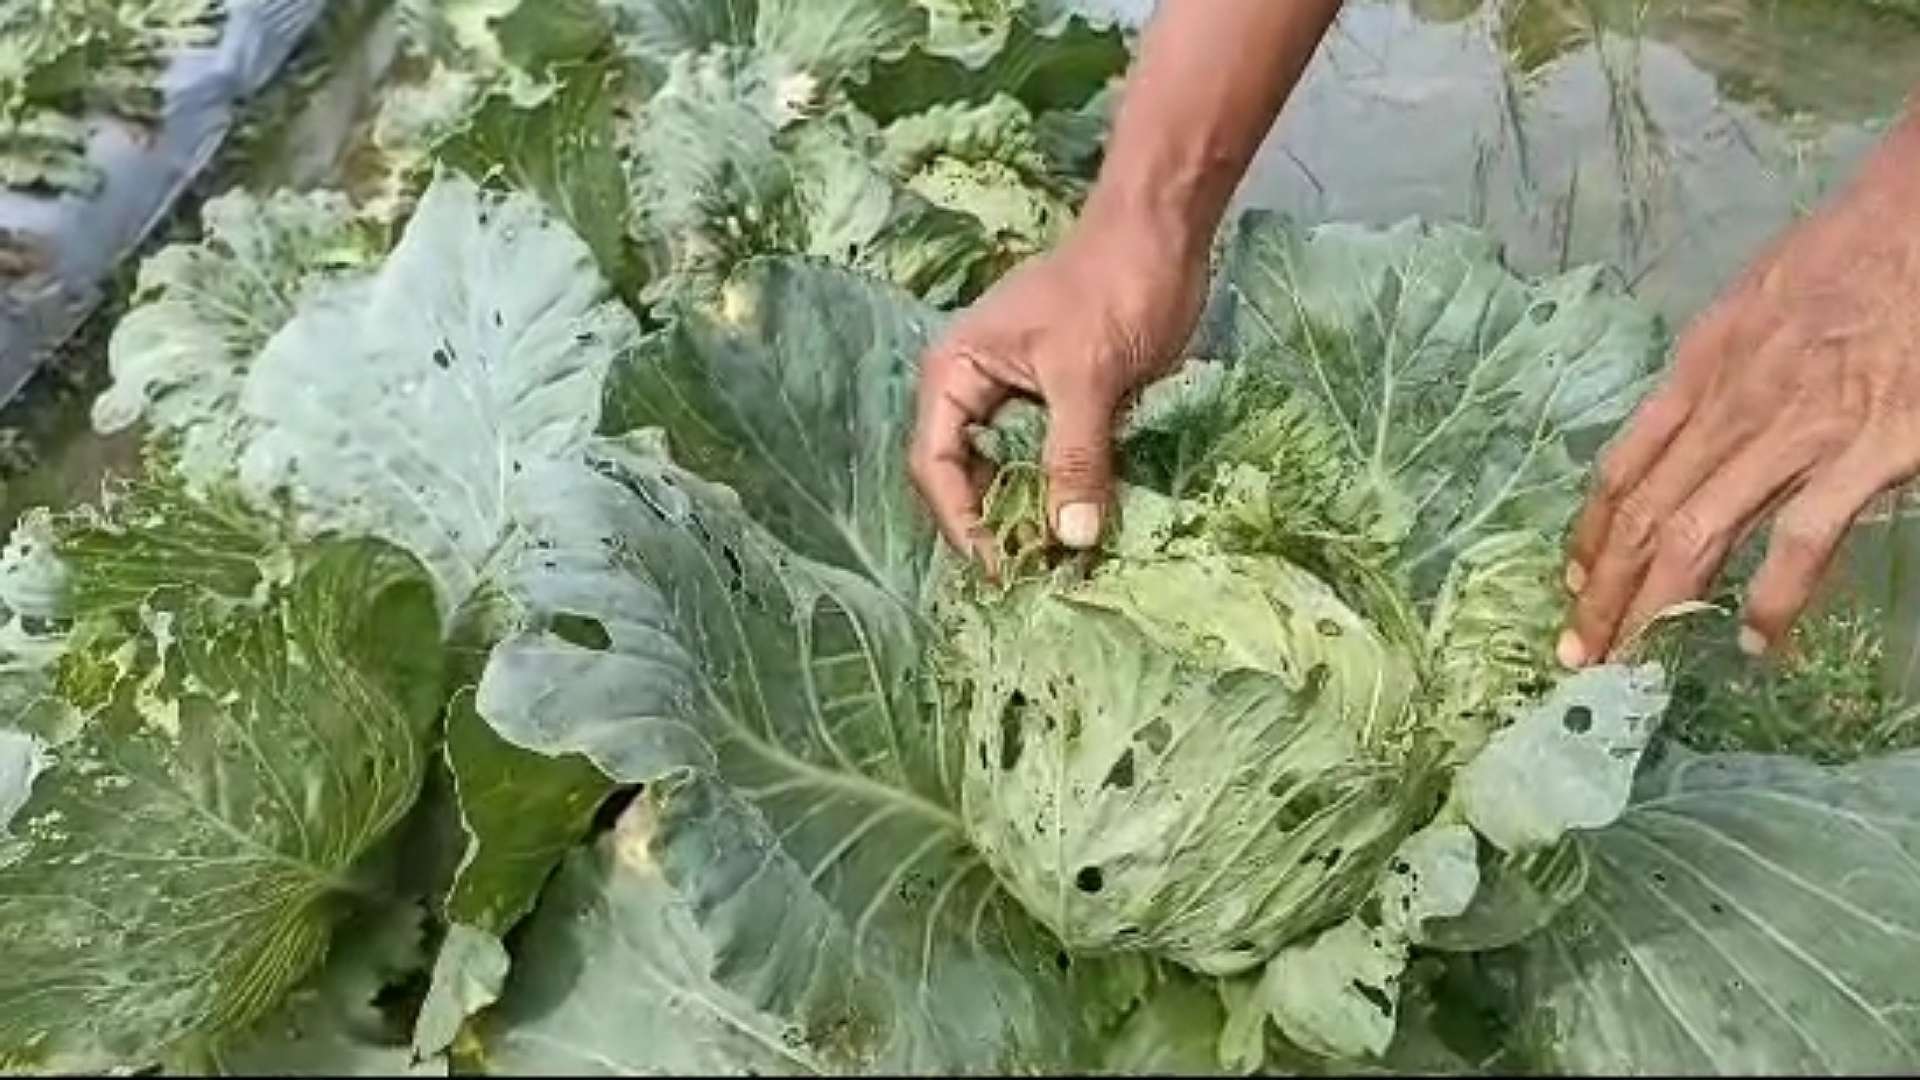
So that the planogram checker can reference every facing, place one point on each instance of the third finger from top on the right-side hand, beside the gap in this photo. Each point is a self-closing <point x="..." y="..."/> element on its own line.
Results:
<point x="1694" y="543"/>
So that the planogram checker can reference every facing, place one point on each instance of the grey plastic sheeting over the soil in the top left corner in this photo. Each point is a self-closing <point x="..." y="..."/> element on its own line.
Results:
<point x="72" y="243"/>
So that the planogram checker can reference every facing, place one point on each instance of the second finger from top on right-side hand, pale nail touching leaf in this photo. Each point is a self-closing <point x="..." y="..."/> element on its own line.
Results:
<point x="1633" y="539"/>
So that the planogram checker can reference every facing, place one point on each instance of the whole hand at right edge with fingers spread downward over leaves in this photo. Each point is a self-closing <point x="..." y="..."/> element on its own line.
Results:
<point x="1798" y="391"/>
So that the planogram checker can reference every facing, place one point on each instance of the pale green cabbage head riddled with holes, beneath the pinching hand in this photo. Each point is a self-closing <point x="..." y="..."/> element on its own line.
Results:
<point x="1182" y="747"/>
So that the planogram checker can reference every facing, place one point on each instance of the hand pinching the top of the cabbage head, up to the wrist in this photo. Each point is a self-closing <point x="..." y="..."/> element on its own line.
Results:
<point x="1078" y="330"/>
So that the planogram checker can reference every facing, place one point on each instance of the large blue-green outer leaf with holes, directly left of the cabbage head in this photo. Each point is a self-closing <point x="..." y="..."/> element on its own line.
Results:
<point x="817" y="833"/>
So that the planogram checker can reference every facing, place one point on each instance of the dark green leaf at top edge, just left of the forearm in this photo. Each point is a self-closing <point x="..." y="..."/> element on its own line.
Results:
<point x="1040" y="53"/>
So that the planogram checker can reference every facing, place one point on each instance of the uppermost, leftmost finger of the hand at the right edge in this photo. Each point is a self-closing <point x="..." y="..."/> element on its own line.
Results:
<point x="1644" y="439"/>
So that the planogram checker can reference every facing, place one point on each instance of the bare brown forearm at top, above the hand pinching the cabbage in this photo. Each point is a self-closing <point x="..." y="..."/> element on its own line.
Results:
<point x="1203" y="95"/>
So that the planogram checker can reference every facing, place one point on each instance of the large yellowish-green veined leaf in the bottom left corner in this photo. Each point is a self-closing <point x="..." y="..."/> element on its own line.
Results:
<point x="183" y="860"/>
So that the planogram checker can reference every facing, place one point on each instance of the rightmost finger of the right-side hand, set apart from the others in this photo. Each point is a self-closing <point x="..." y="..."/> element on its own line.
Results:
<point x="1808" y="535"/>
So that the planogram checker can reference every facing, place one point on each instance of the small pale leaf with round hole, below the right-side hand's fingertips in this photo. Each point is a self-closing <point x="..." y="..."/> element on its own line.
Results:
<point x="1568" y="764"/>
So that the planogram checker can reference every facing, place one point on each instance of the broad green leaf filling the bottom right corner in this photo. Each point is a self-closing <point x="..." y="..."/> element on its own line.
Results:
<point x="1748" y="916"/>
